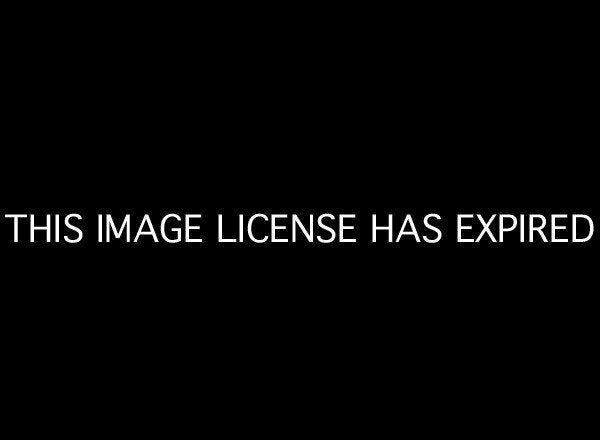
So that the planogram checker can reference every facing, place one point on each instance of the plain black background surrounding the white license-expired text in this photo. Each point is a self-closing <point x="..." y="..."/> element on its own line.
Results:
<point x="368" y="113"/>
